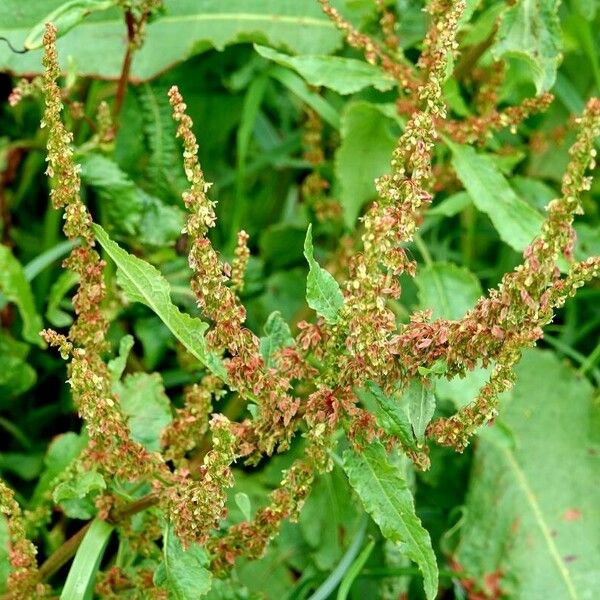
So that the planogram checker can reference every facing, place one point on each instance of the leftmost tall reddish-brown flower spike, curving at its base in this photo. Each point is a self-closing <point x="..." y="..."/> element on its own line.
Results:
<point x="110" y="444"/>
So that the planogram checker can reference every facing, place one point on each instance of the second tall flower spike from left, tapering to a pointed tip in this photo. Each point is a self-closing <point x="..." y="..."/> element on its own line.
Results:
<point x="245" y="367"/>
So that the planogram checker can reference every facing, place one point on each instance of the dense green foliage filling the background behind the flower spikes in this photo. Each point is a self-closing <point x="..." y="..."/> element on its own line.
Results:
<point x="514" y="516"/>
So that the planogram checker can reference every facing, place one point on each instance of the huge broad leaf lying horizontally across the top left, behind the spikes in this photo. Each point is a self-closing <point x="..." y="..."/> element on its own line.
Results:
<point x="185" y="28"/>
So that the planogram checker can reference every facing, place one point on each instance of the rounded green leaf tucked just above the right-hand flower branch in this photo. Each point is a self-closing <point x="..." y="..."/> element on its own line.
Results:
<point x="447" y="289"/>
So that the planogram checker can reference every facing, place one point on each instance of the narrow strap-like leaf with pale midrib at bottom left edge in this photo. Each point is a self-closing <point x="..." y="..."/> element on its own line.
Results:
<point x="82" y="574"/>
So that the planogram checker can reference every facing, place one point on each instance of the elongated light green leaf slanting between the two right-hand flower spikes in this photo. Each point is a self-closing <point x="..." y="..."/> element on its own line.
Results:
<point x="516" y="222"/>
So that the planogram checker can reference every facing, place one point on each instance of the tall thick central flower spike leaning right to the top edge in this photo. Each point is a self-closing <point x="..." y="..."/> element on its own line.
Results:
<point x="390" y="222"/>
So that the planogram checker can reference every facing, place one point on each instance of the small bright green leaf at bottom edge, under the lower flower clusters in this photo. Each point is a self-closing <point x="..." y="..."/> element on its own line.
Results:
<point x="183" y="573"/>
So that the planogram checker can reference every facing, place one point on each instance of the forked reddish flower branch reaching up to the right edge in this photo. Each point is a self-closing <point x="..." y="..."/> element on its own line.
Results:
<point x="511" y="319"/>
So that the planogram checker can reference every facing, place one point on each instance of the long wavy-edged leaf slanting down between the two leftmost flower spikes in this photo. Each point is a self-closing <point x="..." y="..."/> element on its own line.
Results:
<point x="143" y="283"/>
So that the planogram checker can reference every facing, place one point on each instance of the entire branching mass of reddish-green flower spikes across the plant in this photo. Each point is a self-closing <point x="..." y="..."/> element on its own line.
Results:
<point x="307" y="390"/>
